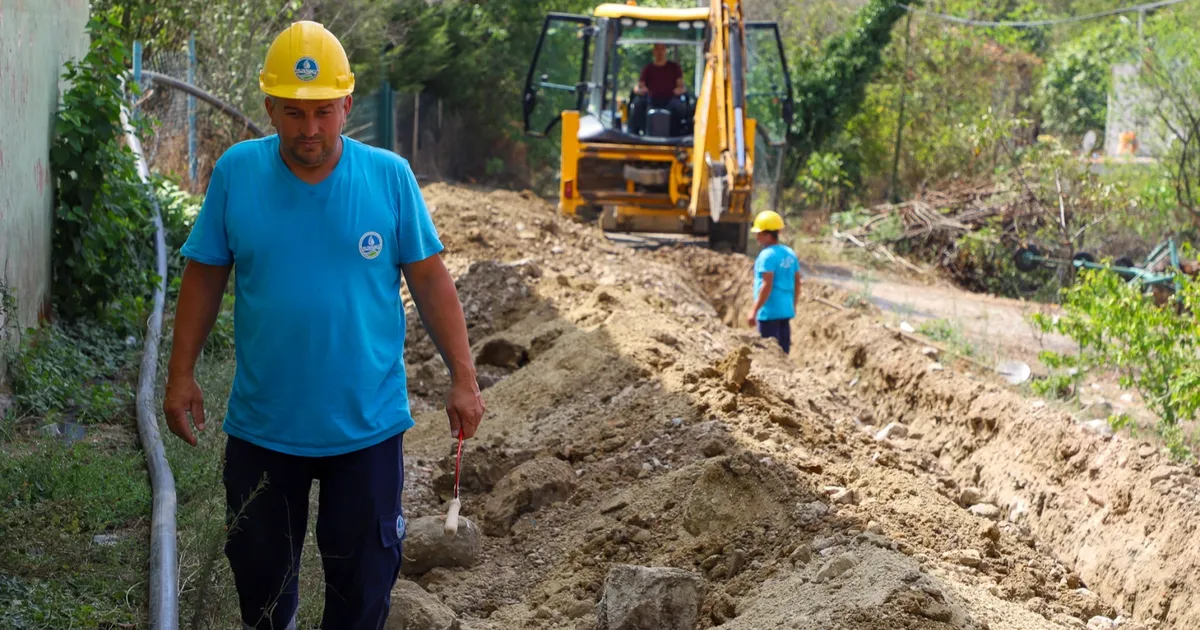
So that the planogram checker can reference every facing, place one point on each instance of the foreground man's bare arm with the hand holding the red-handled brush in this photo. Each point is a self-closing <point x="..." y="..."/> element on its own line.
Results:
<point x="441" y="313"/>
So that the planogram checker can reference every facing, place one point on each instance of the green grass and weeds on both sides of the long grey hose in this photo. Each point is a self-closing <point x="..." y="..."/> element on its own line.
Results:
<point x="76" y="519"/>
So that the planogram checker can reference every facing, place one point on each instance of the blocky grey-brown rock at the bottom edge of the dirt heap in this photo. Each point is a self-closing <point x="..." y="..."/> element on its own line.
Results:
<point x="643" y="598"/>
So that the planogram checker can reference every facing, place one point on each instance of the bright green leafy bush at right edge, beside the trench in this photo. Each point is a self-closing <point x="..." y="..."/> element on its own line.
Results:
<point x="1154" y="347"/>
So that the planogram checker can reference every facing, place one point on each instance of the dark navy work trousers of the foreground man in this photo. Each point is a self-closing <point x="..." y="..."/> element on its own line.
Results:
<point x="361" y="530"/>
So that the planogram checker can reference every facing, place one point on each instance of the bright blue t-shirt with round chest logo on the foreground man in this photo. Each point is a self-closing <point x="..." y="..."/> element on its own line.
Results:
<point x="319" y="320"/>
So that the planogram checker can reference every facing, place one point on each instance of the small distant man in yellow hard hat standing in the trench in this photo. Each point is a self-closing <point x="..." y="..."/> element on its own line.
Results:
<point x="777" y="281"/>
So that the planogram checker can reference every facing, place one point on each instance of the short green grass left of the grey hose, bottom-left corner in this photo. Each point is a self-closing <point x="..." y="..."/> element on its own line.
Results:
<point x="75" y="523"/>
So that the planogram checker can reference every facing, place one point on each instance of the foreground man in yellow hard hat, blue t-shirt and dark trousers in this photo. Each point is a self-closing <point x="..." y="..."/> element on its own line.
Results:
<point x="323" y="231"/>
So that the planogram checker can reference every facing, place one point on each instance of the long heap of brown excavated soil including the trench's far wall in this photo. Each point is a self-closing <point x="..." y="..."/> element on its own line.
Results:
<point x="628" y="424"/>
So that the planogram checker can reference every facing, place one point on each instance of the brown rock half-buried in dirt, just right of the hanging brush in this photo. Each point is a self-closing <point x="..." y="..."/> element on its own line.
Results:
<point x="526" y="489"/>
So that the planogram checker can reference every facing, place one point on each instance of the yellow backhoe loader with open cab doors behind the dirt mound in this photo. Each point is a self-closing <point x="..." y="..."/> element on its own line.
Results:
<point x="681" y="170"/>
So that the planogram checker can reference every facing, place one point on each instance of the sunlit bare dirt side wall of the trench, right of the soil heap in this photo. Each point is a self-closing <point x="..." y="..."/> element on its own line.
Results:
<point x="1115" y="511"/>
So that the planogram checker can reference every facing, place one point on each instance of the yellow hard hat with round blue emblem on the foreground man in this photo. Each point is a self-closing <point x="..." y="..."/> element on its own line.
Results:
<point x="307" y="63"/>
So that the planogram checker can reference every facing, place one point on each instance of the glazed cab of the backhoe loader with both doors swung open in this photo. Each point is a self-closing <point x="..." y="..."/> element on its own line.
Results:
<point x="592" y="64"/>
